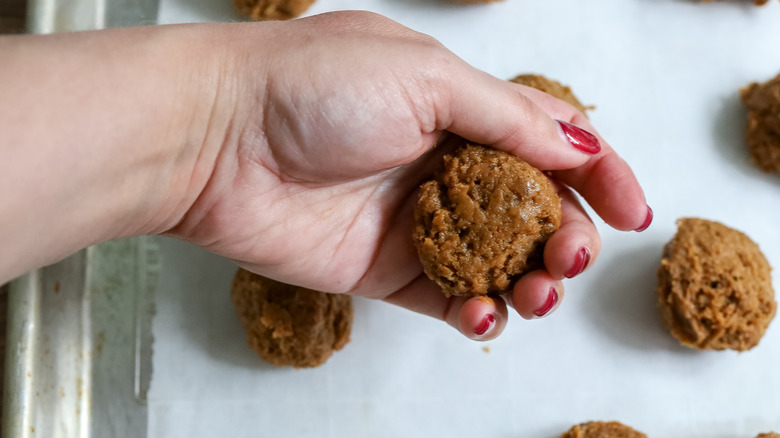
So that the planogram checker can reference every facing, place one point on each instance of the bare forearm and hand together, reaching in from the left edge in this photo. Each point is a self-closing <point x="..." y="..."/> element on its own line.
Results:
<point x="294" y="148"/>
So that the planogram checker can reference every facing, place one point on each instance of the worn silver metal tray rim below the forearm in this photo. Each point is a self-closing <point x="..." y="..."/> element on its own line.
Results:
<point x="79" y="344"/>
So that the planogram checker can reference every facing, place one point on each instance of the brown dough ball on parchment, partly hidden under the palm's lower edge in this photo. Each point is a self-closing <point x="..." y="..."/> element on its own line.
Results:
<point x="290" y="325"/>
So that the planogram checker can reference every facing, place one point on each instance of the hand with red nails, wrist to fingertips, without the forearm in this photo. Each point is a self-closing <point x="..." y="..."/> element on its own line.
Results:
<point x="333" y="125"/>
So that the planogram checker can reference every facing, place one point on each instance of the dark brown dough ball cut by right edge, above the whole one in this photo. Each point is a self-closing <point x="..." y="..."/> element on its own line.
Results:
<point x="762" y="134"/>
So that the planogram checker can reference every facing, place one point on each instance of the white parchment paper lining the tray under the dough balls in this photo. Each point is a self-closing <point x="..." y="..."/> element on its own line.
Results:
<point x="664" y="76"/>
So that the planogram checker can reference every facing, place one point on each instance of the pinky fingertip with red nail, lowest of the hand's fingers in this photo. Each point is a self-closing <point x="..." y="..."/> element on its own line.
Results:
<point x="482" y="318"/>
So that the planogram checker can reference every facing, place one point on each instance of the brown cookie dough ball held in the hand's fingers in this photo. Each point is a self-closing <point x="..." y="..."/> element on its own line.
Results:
<point x="483" y="221"/>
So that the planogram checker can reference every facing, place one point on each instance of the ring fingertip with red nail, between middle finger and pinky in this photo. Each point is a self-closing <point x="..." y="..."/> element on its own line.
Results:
<point x="537" y="294"/>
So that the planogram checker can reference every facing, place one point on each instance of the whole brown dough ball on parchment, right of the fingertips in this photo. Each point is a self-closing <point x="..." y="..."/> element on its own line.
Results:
<point x="714" y="287"/>
